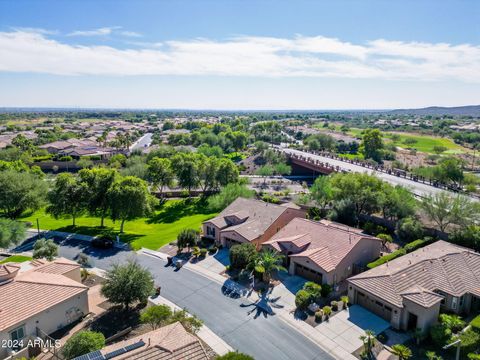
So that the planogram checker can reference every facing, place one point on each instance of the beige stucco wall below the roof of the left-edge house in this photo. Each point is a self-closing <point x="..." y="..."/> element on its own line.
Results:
<point x="51" y="320"/>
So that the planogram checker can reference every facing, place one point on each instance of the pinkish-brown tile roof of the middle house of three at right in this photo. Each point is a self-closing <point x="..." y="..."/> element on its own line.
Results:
<point x="325" y="243"/>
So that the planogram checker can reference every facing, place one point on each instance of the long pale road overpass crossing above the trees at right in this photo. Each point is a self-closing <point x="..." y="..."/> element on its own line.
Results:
<point x="326" y="164"/>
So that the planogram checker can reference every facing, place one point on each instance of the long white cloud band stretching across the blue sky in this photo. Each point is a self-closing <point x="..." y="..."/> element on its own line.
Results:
<point x="300" y="56"/>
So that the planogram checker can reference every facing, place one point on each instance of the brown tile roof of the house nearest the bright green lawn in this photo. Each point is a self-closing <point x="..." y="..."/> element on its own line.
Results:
<point x="255" y="216"/>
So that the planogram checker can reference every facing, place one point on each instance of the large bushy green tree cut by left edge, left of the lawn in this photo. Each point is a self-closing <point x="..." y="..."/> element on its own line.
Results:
<point x="20" y="191"/>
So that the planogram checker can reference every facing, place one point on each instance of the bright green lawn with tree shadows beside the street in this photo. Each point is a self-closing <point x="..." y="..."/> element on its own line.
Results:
<point x="152" y="233"/>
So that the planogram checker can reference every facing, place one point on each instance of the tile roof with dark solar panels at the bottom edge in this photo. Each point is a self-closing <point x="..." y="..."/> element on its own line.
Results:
<point x="171" y="342"/>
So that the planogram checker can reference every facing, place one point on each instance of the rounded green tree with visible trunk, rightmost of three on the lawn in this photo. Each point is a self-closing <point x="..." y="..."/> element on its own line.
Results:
<point x="129" y="199"/>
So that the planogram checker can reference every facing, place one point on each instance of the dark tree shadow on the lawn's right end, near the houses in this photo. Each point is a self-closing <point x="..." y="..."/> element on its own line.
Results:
<point x="172" y="212"/>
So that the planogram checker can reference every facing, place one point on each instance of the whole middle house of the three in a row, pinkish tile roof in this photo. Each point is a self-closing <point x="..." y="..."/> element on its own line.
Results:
<point x="324" y="251"/>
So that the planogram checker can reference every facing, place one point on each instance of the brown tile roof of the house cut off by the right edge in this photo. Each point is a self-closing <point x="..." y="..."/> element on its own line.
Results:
<point x="440" y="266"/>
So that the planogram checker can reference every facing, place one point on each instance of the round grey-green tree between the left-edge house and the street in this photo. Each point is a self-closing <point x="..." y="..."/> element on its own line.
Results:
<point x="128" y="283"/>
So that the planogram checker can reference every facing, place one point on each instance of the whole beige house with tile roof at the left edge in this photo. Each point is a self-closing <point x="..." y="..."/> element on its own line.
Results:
<point x="37" y="299"/>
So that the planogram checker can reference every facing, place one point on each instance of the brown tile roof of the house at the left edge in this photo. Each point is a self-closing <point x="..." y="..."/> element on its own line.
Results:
<point x="32" y="292"/>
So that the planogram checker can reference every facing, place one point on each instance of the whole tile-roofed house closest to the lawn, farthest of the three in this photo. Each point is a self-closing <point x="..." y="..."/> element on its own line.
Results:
<point x="248" y="220"/>
